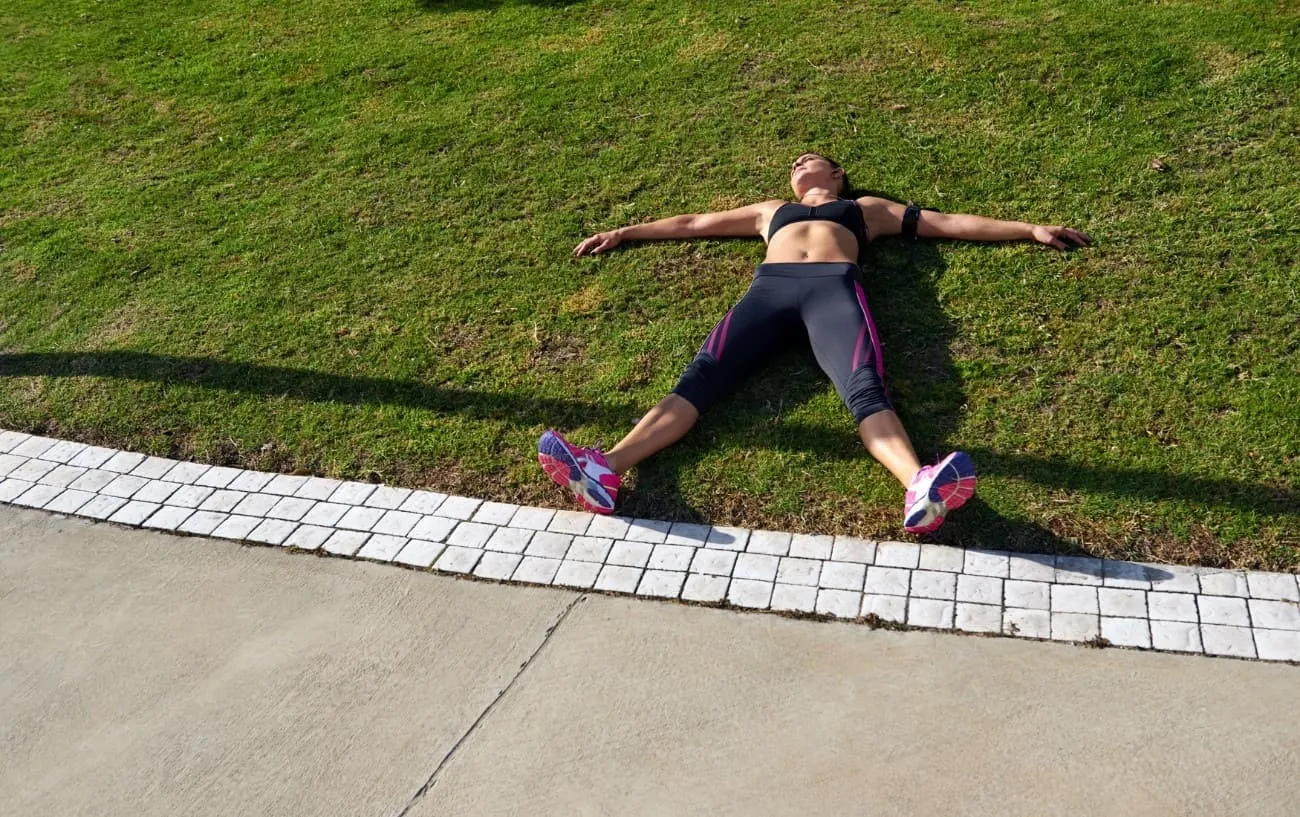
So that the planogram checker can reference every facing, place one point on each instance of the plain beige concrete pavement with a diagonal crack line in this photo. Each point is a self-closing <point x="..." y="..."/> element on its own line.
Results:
<point x="151" y="675"/>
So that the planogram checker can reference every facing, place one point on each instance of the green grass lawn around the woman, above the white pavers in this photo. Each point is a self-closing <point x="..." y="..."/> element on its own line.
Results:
<point x="336" y="239"/>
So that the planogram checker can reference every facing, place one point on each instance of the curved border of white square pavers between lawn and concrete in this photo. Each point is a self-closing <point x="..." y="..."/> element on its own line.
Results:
<point x="1212" y="612"/>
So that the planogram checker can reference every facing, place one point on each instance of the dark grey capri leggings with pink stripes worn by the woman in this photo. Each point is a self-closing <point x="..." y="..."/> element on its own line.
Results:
<point x="786" y="301"/>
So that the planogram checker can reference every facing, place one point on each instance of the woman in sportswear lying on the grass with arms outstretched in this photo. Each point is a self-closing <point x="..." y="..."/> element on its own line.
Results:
<point x="811" y="283"/>
